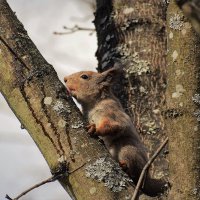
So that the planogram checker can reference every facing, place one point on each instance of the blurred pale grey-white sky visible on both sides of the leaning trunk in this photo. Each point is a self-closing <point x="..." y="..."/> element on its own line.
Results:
<point x="22" y="165"/>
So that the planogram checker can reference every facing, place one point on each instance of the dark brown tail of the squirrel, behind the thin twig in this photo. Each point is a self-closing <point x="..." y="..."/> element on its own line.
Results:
<point x="153" y="187"/>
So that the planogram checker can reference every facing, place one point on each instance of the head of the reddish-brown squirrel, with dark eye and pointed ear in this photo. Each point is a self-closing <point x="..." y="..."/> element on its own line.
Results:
<point x="87" y="87"/>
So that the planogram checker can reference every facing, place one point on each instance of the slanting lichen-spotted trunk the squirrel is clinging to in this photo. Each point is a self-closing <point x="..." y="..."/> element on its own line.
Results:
<point x="39" y="100"/>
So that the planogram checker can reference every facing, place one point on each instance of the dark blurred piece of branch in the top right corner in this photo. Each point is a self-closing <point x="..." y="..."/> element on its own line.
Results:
<point x="191" y="9"/>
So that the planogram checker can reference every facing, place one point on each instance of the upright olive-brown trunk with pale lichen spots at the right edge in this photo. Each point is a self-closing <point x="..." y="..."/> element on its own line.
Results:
<point x="182" y="115"/>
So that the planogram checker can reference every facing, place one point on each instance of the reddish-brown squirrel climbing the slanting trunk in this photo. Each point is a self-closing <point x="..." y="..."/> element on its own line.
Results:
<point x="108" y="120"/>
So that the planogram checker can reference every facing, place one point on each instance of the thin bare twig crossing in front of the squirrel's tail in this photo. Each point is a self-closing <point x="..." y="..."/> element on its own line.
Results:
<point x="146" y="168"/>
